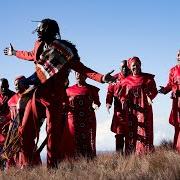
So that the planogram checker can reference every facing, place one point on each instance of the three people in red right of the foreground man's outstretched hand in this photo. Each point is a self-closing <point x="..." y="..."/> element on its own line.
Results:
<point x="133" y="93"/>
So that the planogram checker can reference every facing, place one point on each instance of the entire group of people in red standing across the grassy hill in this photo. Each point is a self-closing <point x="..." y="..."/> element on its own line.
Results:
<point x="69" y="111"/>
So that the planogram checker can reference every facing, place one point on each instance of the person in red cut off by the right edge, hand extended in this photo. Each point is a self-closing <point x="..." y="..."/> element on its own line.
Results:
<point x="174" y="86"/>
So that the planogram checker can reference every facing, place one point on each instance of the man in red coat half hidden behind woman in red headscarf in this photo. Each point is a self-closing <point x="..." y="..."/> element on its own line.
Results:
<point x="118" y="125"/>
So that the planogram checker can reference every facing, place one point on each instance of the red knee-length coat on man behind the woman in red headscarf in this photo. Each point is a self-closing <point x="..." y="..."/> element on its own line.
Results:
<point x="118" y="124"/>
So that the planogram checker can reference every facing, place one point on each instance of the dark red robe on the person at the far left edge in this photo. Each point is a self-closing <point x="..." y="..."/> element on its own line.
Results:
<point x="5" y="116"/>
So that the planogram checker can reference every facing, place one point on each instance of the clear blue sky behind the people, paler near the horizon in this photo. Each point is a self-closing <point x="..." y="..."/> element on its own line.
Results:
<point x="105" y="32"/>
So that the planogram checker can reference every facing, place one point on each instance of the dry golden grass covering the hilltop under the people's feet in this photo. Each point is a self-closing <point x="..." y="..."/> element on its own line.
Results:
<point x="162" y="164"/>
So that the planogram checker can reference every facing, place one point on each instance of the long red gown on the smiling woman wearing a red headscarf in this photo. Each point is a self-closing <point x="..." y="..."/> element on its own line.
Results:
<point x="137" y="89"/>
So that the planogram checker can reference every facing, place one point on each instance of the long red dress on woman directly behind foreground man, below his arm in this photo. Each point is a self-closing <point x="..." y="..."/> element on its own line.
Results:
<point x="79" y="137"/>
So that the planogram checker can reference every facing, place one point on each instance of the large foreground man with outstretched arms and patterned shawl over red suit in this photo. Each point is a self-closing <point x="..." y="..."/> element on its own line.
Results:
<point x="53" y="58"/>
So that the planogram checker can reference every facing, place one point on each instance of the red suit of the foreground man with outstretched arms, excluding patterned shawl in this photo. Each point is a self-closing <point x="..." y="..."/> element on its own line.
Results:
<point x="50" y="94"/>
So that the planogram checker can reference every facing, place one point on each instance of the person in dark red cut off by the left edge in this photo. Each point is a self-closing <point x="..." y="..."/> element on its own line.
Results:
<point x="5" y="117"/>
